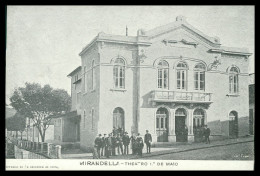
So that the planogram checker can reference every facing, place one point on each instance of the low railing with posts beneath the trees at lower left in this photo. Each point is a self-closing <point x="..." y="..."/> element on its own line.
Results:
<point x="47" y="150"/>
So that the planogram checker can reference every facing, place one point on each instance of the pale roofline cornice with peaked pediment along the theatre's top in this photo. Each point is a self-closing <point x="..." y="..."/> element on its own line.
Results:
<point x="143" y="37"/>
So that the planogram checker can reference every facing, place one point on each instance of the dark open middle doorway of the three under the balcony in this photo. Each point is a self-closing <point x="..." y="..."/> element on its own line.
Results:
<point x="181" y="129"/>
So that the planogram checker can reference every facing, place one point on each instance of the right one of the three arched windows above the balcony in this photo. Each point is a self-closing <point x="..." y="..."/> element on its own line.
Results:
<point x="199" y="77"/>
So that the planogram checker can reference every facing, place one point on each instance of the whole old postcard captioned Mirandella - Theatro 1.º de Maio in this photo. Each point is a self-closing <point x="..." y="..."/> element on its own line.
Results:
<point x="130" y="87"/>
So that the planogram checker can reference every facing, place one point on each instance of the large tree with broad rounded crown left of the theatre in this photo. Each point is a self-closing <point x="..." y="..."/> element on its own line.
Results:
<point x="40" y="104"/>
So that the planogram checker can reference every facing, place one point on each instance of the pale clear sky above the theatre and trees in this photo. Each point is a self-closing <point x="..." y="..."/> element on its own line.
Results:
<point x="44" y="42"/>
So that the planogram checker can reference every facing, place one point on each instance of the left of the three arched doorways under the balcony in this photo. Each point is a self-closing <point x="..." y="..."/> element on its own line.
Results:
<point x="162" y="117"/>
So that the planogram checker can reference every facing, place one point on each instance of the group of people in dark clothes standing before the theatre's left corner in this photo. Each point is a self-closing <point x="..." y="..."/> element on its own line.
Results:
<point x="117" y="142"/>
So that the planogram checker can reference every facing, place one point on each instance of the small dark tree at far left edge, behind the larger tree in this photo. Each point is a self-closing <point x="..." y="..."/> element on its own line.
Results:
<point x="16" y="123"/>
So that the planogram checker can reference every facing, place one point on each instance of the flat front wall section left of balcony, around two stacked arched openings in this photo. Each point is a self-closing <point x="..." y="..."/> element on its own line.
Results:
<point x="110" y="97"/>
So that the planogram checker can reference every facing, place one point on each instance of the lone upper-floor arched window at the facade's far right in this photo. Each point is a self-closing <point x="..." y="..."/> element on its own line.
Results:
<point x="233" y="80"/>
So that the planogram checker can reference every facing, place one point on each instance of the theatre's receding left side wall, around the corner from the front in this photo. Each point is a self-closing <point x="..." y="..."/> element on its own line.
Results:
<point x="90" y="99"/>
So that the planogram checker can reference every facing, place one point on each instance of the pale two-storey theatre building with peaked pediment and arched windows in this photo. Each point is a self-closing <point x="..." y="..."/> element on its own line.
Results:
<point x="163" y="80"/>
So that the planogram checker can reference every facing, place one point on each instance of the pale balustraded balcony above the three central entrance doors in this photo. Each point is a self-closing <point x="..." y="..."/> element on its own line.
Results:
<point x="181" y="96"/>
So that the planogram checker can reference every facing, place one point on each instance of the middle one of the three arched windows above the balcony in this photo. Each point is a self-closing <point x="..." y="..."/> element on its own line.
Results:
<point x="181" y="75"/>
